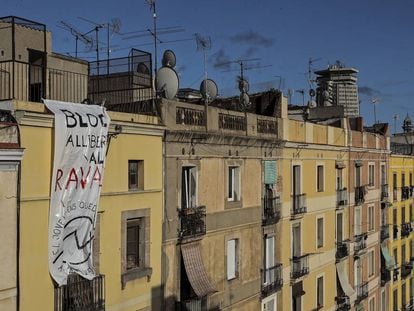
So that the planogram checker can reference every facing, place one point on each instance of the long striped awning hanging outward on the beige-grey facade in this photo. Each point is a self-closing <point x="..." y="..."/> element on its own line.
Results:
<point x="195" y="269"/>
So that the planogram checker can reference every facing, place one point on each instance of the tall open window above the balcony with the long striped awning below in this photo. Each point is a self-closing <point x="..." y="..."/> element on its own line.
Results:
<point x="188" y="187"/>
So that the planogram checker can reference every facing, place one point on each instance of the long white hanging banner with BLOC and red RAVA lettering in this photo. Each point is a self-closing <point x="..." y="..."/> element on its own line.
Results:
<point x="81" y="137"/>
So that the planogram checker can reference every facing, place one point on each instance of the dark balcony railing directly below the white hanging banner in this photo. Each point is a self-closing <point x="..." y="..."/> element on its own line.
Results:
<point x="81" y="294"/>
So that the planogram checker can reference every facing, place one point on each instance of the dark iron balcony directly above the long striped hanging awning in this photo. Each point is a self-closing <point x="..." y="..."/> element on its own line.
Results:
<point x="193" y="222"/>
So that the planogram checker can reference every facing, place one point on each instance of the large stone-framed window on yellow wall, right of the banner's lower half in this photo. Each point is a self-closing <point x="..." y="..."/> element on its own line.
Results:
<point x="135" y="245"/>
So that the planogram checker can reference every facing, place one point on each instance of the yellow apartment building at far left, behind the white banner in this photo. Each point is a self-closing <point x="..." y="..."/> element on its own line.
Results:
<point x="128" y="233"/>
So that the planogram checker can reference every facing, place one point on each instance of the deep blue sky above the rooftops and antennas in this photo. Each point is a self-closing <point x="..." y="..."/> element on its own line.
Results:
<point x="374" y="36"/>
